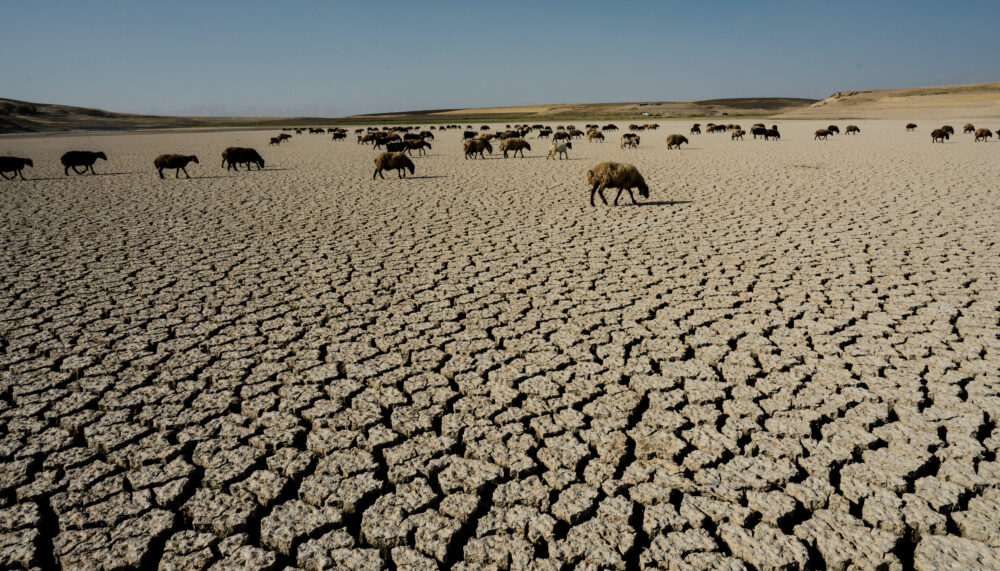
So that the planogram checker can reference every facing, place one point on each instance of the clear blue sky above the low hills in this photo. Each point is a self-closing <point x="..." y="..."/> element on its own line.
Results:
<point x="336" y="58"/>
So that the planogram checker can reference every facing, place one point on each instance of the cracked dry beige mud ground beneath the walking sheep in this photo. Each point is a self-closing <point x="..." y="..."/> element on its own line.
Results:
<point x="795" y="365"/>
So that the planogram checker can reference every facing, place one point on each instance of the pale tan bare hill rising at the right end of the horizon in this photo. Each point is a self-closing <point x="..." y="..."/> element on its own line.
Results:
<point x="946" y="101"/>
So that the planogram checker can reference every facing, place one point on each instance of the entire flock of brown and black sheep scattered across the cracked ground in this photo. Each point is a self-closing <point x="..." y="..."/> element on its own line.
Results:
<point x="399" y="144"/>
